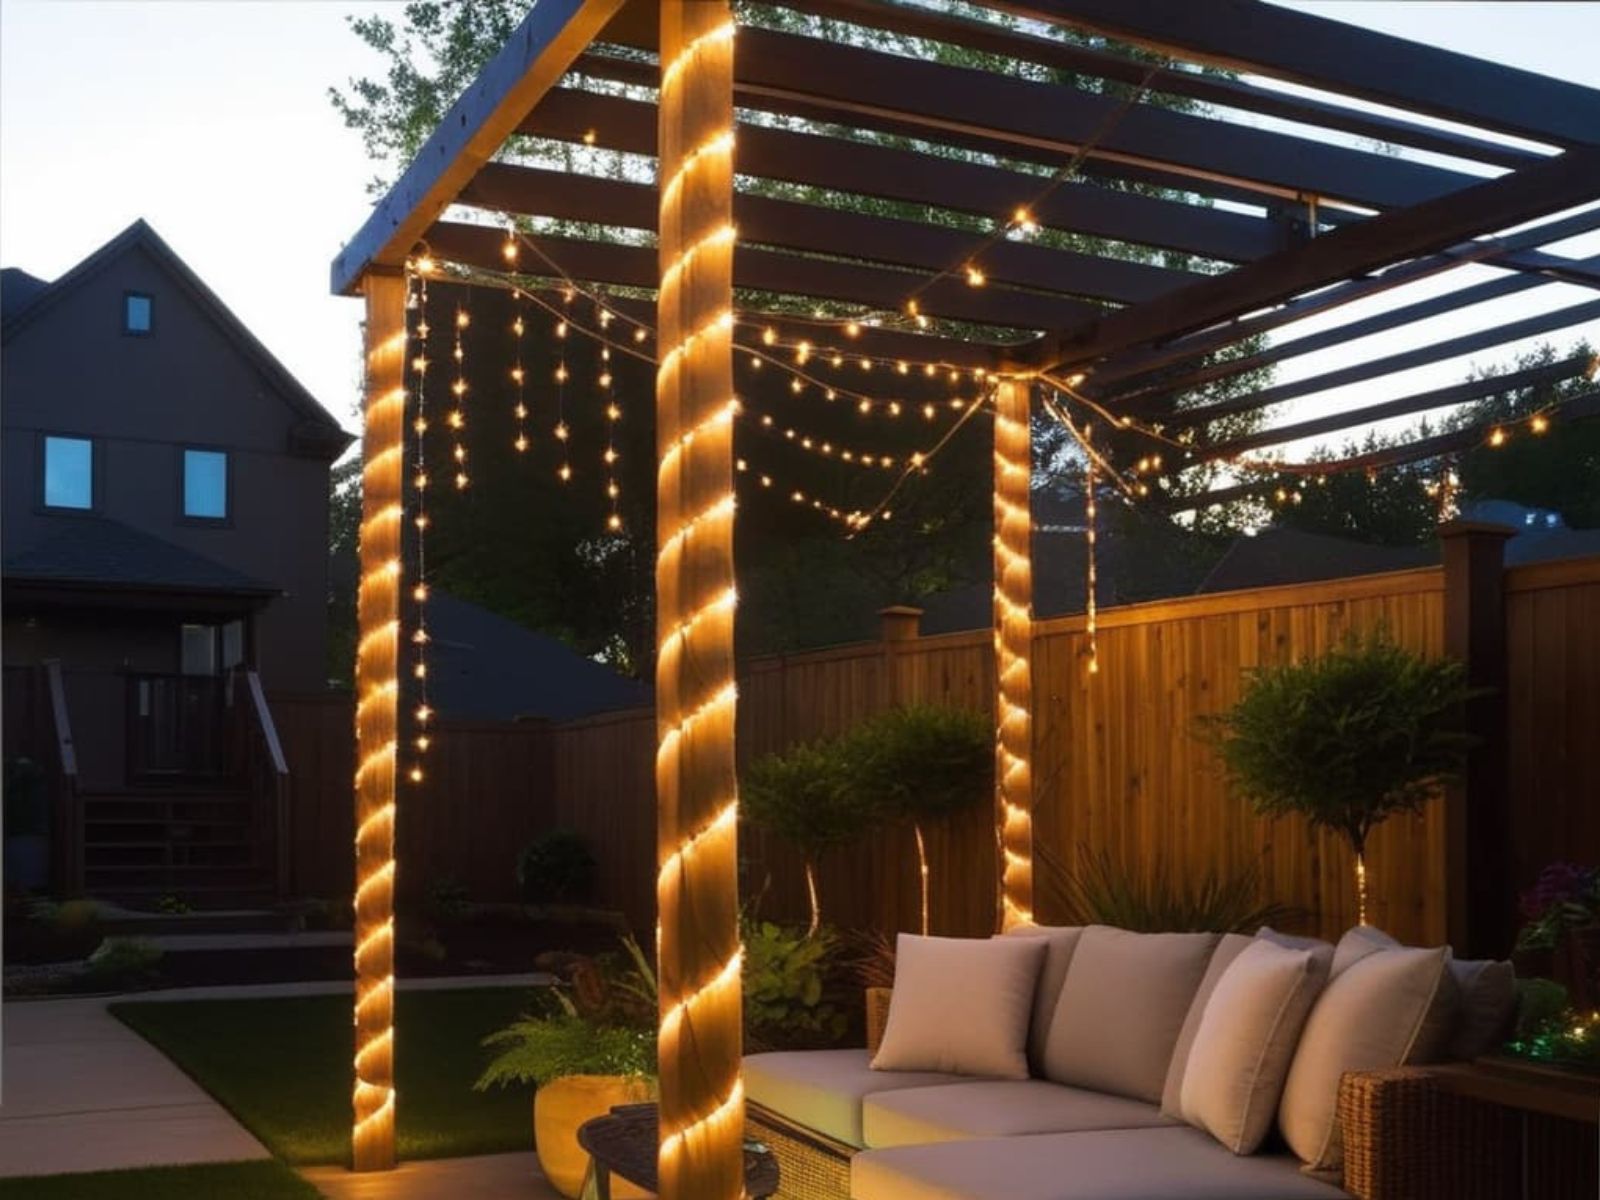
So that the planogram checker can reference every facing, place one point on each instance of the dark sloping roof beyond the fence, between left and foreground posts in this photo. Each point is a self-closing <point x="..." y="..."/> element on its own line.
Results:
<point x="487" y="668"/>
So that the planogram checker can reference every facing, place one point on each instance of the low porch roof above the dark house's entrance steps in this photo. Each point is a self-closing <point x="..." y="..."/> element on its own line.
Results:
<point x="103" y="553"/>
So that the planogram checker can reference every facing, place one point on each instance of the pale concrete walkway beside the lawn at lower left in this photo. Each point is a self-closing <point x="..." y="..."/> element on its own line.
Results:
<point x="81" y="1092"/>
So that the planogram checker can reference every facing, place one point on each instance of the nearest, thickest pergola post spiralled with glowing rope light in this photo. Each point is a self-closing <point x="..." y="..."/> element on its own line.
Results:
<point x="702" y="1154"/>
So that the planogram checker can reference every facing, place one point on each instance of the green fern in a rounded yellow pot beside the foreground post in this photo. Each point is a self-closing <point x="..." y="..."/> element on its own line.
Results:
<point x="590" y="1046"/>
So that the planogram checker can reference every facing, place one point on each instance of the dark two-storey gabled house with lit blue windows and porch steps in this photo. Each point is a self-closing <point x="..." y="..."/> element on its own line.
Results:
<point x="166" y="516"/>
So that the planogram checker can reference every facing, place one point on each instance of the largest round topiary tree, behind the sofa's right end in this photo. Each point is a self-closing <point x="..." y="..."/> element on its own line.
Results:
<point x="1346" y="740"/>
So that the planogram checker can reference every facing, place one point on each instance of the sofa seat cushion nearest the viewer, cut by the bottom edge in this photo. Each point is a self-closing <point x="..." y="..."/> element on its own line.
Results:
<point x="1166" y="1164"/>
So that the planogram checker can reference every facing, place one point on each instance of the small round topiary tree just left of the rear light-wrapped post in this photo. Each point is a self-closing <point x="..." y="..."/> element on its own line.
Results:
<point x="922" y="764"/>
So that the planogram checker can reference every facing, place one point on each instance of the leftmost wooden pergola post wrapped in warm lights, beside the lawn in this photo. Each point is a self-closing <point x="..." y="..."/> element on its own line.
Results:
<point x="377" y="730"/>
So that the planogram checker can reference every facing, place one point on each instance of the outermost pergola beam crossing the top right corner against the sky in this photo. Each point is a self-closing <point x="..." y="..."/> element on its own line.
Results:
<point x="1314" y="52"/>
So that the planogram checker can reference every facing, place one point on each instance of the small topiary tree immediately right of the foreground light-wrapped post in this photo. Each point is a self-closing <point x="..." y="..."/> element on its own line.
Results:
<point x="802" y="798"/>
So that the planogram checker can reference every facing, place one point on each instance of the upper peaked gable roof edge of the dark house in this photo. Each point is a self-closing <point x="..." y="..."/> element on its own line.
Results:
<point x="318" y="428"/>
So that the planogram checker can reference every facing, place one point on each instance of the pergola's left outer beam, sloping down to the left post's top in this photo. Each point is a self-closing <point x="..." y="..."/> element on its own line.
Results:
<point x="478" y="126"/>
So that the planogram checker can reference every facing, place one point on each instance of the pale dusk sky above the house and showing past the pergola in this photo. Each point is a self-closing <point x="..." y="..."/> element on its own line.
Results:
<point x="210" y="119"/>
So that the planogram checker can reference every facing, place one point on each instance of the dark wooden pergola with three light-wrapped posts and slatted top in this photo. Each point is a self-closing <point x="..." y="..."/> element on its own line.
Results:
<point x="1278" y="198"/>
